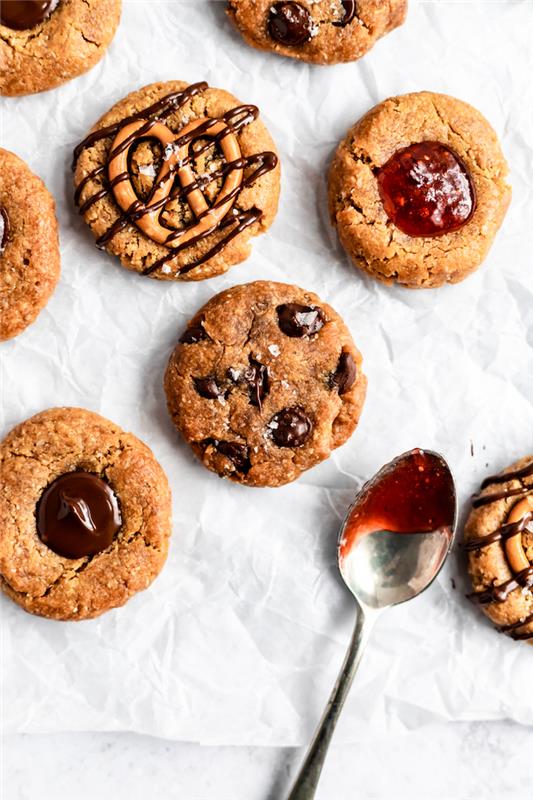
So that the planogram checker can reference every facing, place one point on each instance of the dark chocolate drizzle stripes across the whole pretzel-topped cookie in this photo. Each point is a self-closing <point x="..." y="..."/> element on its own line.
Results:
<point x="231" y="225"/>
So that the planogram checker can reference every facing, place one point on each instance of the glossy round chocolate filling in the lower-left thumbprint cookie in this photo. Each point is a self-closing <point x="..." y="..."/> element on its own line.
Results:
<point x="78" y="515"/>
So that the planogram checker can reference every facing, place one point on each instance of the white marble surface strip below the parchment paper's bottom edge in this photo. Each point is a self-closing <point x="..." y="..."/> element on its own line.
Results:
<point x="461" y="761"/>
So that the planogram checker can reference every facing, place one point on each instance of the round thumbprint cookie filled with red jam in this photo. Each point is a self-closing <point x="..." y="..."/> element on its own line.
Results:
<point x="417" y="190"/>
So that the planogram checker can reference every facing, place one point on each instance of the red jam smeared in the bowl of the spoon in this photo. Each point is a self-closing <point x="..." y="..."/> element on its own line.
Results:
<point x="414" y="495"/>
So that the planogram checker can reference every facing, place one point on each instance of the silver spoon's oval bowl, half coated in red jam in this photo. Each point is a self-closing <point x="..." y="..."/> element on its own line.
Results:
<point x="399" y="530"/>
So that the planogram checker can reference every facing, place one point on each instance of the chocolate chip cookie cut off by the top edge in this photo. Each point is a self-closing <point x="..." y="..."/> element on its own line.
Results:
<point x="319" y="31"/>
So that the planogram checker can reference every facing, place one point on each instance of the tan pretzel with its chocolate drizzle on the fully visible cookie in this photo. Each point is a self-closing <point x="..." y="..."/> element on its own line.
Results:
<point x="218" y="215"/>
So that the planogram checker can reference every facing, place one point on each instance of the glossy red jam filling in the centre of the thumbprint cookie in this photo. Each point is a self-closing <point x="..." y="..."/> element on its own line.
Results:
<point x="426" y="190"/>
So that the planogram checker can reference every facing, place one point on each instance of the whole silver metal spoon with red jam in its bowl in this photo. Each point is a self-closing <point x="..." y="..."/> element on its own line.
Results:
<point x="392" y="545"/>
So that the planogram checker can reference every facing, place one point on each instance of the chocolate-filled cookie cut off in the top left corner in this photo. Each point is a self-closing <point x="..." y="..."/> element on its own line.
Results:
<point x="44" y="43"/>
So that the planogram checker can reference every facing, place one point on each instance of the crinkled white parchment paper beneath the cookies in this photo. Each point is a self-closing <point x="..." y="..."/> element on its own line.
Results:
<point x="240" y="638"/>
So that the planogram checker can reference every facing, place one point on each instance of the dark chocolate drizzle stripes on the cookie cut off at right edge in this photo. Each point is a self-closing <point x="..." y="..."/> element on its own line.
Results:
<point x="522" y="579"/>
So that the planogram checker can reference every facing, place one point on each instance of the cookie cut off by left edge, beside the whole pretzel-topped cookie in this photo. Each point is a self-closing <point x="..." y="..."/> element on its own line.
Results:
<point x="29" y="248"/>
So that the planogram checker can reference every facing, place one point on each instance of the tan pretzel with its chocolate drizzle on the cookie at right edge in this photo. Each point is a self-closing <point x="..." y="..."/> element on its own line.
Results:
<point x="510" y="535"/>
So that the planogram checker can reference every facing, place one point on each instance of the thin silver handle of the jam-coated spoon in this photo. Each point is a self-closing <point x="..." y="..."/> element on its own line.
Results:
<point x="306" y="783"/>
